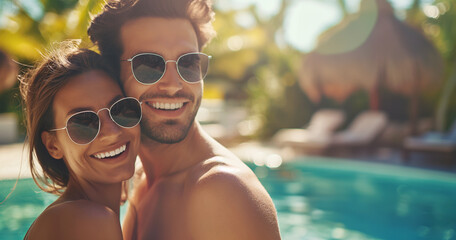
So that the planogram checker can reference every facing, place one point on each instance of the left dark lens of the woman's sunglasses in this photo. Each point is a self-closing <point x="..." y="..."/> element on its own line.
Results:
<point x="83" y="127"/>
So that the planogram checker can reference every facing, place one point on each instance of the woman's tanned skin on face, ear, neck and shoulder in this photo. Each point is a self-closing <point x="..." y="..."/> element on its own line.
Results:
<point x="89" y="207"/>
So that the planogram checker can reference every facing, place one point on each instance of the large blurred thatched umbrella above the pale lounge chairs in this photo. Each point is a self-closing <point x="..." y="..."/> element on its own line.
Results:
<point x="371" y="49"/>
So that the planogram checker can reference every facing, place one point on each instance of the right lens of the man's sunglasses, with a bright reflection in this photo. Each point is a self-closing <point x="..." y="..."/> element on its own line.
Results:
<point x="193" y="67"/>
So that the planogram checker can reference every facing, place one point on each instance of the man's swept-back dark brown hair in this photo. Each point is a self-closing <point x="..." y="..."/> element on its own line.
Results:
<point x="104" y="29"/>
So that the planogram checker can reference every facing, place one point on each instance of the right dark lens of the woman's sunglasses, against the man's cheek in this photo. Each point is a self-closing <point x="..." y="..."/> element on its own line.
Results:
<point x="126" y="113"/>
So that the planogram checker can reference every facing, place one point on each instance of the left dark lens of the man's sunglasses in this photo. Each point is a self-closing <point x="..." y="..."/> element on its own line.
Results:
<point x="148" y="68"/>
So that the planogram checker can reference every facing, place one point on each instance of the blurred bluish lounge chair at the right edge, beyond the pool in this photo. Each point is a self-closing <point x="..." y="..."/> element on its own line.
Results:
<point x="432" y="142"/>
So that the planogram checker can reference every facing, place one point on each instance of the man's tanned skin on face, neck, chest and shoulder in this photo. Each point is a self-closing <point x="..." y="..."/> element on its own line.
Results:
<point x="193" y="187"/>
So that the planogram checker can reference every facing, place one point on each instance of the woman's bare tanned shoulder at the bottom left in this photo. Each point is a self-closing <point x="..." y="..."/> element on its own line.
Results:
<point x="79" y="219"/>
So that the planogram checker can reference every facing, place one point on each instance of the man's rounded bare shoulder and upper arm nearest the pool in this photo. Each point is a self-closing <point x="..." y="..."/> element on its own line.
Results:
<point x="228" y="203"/>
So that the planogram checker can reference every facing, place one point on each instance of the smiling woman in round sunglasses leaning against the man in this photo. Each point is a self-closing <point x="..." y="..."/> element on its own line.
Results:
<point x="85" y="136"/>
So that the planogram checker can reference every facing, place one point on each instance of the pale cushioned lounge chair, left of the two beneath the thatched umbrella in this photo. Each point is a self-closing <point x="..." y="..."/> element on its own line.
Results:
<point x="316" y="136"/>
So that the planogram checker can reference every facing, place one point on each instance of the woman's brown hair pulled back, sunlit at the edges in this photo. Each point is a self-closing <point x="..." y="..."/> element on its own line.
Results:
<point x="38" y="88"/>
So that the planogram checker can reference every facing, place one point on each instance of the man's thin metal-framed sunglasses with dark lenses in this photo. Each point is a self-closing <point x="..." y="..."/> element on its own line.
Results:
<point x="149" y="68"/>
